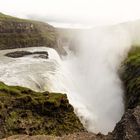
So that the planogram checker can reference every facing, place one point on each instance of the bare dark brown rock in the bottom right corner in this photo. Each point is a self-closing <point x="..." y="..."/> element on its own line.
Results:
<point x="129" y="126"/>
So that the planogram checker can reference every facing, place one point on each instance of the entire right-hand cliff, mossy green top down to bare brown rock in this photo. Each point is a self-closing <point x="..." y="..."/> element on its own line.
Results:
<point x="129" y="126"/>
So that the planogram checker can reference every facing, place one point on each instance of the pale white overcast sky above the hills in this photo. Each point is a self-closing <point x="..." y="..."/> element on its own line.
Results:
<point x="87" y="12"/>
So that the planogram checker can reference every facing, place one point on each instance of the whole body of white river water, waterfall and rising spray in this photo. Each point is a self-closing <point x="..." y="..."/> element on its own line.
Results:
<point x="90" y="78"/>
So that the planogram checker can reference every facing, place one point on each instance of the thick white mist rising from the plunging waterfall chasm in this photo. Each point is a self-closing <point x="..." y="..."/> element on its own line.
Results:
<point x="96" y="90"/>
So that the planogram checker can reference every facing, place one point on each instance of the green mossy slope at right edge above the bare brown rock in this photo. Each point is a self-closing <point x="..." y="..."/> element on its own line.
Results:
<point x="131" y="78"/>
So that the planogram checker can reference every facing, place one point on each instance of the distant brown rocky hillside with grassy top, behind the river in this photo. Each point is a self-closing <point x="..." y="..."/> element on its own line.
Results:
<point x="20" y="33"/>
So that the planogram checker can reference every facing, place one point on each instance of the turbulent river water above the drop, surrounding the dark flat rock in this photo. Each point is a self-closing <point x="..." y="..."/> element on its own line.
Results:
<point x="29" y="71"/>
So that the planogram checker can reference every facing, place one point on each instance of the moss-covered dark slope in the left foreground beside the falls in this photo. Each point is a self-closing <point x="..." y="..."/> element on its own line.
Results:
<point x="23" y="111"/>
